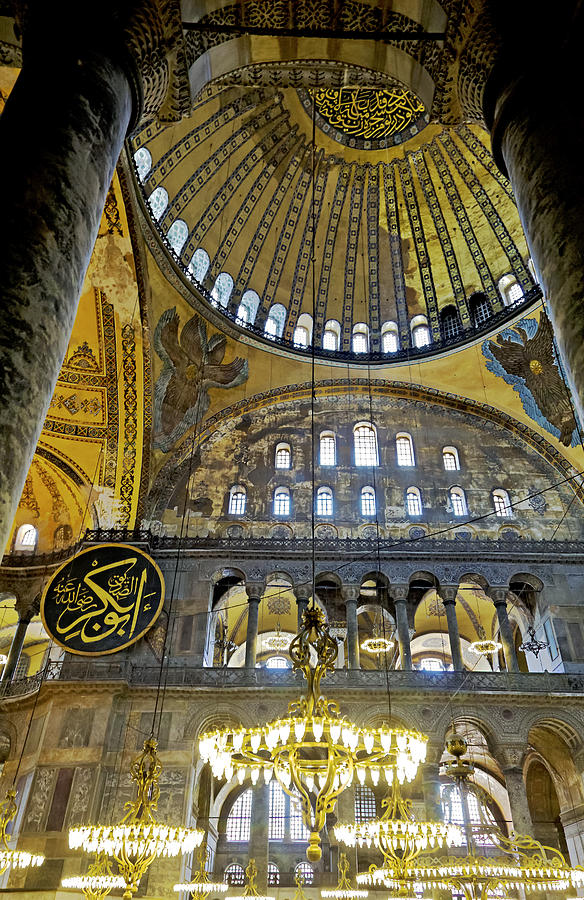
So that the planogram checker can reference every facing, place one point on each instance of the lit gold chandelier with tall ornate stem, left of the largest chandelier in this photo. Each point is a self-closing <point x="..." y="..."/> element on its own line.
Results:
<point x="138" y="839"/>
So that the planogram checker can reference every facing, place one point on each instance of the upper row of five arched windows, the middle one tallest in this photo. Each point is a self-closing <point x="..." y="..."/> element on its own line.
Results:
<point x="366" y="452"/>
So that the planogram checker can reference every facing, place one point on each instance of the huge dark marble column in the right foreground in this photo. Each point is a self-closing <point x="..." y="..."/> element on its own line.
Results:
<point x="530" y="121"/>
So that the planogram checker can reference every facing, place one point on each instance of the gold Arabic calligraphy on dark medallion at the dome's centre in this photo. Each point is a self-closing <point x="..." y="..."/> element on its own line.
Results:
<point x="368" y="113"/>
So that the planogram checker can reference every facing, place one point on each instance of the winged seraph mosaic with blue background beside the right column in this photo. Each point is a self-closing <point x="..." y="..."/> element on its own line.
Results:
<point x="524" y="356"/>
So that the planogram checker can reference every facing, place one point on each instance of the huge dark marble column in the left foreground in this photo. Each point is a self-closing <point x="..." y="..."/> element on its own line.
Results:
<point x="61" y="133"/>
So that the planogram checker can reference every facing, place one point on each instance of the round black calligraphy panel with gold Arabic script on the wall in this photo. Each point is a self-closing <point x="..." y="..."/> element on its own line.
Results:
<point x="103" y="599"/>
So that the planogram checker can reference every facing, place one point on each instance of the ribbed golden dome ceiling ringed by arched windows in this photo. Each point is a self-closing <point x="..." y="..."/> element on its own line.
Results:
<point x="410" y="217"/>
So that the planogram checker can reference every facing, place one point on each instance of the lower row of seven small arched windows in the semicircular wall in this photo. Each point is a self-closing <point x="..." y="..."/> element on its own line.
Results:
<point x="324" y="501"/>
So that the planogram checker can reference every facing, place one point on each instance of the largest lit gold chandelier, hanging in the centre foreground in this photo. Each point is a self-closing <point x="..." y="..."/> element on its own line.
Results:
<point x="314" y="752"/>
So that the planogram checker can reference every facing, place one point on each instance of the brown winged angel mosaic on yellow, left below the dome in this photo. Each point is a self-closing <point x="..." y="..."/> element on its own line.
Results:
<point x="193" y="363"/>
